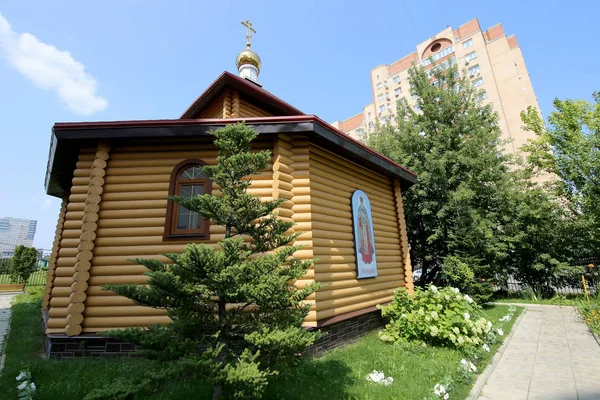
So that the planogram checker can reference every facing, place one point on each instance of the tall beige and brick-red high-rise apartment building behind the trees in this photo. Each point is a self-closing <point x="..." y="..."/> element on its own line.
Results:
<point x="492" y="61"/>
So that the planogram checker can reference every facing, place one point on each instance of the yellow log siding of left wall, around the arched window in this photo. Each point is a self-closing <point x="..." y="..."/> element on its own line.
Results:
<point x="129" y="224"/>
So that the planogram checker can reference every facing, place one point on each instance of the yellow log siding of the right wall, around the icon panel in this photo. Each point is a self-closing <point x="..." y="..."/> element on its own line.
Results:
<point x="332" y="182"/>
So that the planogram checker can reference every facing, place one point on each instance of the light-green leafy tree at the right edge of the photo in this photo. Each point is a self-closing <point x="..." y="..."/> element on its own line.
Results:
<point x="569" y="148"/>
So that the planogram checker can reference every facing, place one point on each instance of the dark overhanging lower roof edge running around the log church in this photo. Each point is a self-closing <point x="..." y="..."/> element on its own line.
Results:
<point x="68" y="138"/>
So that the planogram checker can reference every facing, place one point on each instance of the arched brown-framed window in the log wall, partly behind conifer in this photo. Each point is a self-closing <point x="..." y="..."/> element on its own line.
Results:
<point x="187" y="180"/>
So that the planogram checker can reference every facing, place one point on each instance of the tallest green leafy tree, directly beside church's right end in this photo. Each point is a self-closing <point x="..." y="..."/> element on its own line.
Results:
<point x="452" y="141"/>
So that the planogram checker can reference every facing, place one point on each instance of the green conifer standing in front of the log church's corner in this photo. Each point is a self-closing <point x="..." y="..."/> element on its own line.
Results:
<point x="237" y="317"/>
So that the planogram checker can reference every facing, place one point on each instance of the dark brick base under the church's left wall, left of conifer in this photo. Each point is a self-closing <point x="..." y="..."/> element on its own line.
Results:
<point x="58" y="346"/>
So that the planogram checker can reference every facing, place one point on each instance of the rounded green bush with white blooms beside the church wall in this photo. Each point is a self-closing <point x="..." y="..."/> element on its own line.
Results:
<point x="442" y="317"/>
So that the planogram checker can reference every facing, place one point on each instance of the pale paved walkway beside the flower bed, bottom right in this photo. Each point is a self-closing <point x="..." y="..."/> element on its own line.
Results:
<point x="551" y="356"/>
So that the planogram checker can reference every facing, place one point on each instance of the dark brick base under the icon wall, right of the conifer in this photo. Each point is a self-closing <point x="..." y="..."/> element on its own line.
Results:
<point x="347" y="331"/>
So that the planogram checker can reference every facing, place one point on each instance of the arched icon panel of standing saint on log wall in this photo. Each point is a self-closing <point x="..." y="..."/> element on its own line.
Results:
<point x="364" y="241"/>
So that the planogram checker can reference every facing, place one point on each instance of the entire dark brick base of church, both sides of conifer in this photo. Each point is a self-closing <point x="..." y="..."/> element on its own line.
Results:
<point x="334" y="334"/>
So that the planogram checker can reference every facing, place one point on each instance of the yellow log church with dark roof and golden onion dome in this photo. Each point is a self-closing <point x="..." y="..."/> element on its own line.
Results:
<point x="114" y="178"/>
